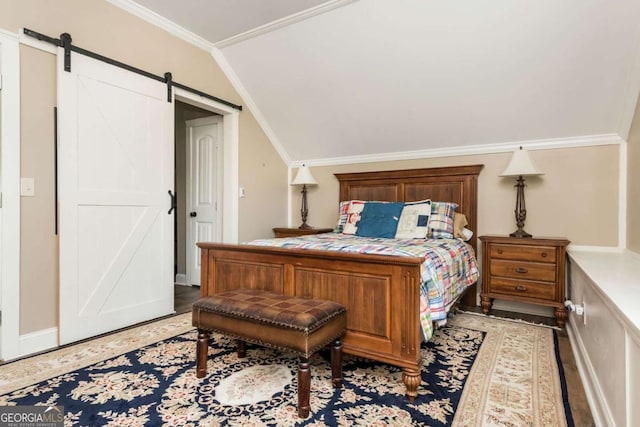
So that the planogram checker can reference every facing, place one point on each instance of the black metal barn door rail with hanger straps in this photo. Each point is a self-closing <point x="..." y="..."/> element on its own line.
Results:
<point x="65" y="42"/>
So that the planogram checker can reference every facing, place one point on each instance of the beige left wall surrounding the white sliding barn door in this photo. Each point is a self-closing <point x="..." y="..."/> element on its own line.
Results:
<point x="98" y="26"/>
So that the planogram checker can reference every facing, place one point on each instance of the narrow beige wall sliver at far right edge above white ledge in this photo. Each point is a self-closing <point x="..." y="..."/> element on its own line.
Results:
<point x="633" y="184"/>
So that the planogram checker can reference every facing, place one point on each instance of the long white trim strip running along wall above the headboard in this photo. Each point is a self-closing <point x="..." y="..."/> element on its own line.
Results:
<point x="468" y="150"/>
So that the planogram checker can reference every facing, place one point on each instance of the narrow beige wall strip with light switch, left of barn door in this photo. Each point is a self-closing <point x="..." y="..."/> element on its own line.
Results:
<point x="38" y="241"/>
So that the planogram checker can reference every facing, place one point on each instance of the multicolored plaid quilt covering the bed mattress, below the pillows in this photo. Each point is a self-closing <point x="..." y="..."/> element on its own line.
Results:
<point x="449" y="266"/>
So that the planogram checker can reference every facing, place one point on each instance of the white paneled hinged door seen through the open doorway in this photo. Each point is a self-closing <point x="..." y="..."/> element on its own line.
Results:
<point x="204" y="186"/>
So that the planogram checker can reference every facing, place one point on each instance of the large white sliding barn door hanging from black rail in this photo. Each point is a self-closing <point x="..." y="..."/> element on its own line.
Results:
<point x="115" y="170"/>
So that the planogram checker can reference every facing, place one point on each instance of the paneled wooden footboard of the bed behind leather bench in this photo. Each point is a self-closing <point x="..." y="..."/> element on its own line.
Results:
<point x="381" y="294"/>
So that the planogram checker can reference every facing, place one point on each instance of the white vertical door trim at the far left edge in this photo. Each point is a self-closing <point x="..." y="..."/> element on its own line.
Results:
<point x="10" y="211"/>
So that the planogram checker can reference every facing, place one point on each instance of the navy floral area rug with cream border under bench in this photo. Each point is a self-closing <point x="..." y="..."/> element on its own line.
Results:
<point x="476" y="371"/>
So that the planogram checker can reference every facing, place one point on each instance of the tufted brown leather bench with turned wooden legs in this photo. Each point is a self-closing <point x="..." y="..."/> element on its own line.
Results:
<point x="295" y="324"/>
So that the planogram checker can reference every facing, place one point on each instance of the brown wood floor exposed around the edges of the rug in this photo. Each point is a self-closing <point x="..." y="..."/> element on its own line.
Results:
<point x="186" y="295"/>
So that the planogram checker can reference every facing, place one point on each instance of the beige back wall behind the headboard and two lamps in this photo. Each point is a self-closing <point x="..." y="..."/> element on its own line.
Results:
<point x="573" y="199"/>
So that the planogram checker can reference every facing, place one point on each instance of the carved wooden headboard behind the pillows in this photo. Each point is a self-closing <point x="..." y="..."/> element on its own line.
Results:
<point x="457" y="184"/>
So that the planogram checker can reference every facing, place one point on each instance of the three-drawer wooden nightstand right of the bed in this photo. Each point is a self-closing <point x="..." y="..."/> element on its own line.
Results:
<point x="524" y="269"/>
